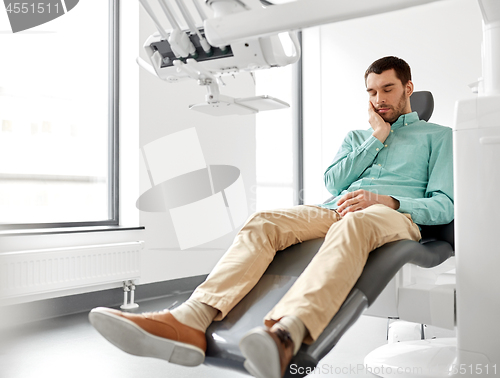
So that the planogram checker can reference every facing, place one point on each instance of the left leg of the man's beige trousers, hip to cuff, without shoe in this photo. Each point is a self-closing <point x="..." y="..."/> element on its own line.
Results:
<point x="254" y="249"/>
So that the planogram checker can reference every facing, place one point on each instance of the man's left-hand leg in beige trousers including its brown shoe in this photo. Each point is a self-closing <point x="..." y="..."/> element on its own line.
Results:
<point x="178" y="336"/>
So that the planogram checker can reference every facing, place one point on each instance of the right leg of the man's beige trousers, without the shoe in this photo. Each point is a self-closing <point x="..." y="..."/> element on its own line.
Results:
<point x="321" y="289"/>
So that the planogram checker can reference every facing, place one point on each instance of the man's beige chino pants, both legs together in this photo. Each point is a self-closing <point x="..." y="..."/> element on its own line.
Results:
<point x="321" y="289"/>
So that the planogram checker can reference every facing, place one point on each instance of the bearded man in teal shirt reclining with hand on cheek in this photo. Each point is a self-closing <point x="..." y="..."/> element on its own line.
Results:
<point x="386" y="180"/>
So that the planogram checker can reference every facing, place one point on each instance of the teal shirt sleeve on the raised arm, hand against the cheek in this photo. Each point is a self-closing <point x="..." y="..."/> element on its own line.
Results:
<point x="350" y="162"/>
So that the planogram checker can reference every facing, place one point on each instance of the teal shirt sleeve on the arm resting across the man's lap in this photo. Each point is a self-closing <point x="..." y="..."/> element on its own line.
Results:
<point x="437" y="206"/>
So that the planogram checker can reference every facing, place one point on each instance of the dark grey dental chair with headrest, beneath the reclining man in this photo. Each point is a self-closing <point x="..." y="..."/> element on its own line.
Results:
<point x="436" y="246"/>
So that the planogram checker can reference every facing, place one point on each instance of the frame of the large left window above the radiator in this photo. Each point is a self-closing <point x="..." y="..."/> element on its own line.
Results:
<point x="113" y="137"/>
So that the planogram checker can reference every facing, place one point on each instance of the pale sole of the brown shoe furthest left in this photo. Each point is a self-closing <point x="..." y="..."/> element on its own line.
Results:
<point x="132" y="339"/>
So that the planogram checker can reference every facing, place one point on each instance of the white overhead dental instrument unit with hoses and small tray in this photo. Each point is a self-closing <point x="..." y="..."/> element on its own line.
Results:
<point x="177" y="55"/>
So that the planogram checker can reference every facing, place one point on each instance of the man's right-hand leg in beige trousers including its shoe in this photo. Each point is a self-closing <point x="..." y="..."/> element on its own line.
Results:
<point x="321" y="289"/>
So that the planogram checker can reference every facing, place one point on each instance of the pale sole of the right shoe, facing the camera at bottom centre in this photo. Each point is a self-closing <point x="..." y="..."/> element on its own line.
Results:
<point x="261" y="353"/>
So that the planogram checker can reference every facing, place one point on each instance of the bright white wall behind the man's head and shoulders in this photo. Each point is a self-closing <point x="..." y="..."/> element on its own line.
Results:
<point x="440" y="41"/>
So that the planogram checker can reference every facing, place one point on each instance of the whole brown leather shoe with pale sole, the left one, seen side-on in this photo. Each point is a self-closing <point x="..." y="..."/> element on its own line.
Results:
<point x="153" y="334"/>
